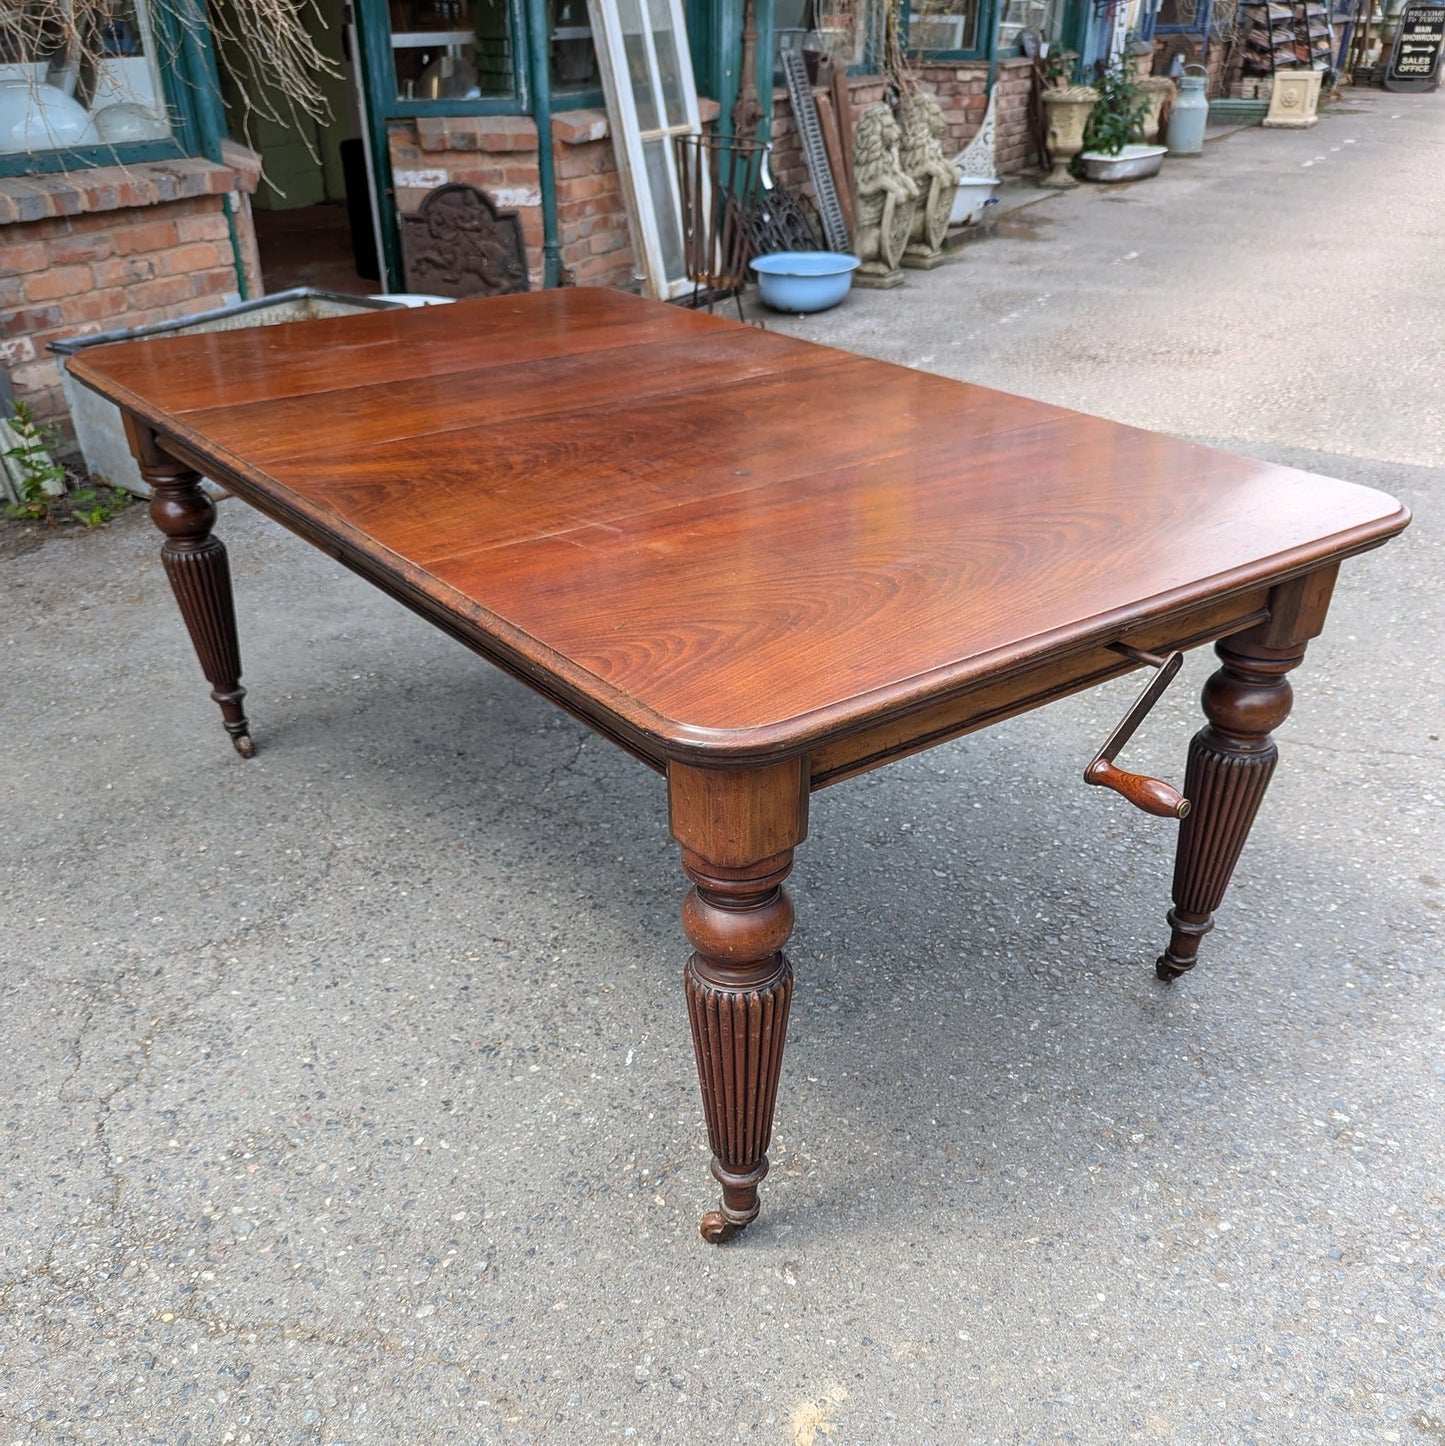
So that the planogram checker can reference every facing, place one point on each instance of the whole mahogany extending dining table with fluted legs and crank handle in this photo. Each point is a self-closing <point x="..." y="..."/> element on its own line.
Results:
<point x="757" y="565"/>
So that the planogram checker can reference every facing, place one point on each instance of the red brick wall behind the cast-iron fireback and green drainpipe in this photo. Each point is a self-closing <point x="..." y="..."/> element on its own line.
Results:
<point x="498" y="155"/>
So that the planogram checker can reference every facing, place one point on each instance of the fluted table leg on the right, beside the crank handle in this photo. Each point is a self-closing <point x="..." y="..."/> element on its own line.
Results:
<point x="1233" y="758"/>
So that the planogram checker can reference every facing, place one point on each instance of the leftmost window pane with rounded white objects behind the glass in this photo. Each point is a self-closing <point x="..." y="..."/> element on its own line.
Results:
<point x="99" y="86"/>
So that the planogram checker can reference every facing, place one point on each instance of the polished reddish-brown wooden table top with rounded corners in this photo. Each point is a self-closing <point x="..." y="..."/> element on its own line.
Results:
<point x="733" y="542"/>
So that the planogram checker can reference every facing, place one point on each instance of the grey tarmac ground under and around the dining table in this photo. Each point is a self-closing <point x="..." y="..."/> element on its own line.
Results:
<point x="348" y="1094"/>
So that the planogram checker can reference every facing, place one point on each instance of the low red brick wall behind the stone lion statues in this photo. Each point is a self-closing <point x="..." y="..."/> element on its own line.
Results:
<point x="963" y="92"/>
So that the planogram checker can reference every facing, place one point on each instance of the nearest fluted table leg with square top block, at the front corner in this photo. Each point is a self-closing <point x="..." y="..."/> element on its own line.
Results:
<point x="738" y="832"/>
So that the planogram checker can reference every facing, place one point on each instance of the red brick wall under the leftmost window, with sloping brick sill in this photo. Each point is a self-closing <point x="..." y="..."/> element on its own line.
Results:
<point x="105" y="249"/>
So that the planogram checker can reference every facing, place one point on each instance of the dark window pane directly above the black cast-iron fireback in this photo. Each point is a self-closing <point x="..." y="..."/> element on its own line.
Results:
<point x="452" y="50"/>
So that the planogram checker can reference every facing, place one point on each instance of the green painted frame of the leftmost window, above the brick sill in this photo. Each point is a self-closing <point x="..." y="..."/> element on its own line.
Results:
<point x="193" y="95"/>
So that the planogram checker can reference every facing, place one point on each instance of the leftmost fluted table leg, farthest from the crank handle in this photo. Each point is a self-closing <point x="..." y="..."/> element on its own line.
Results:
<point x="200" y="576"/>
